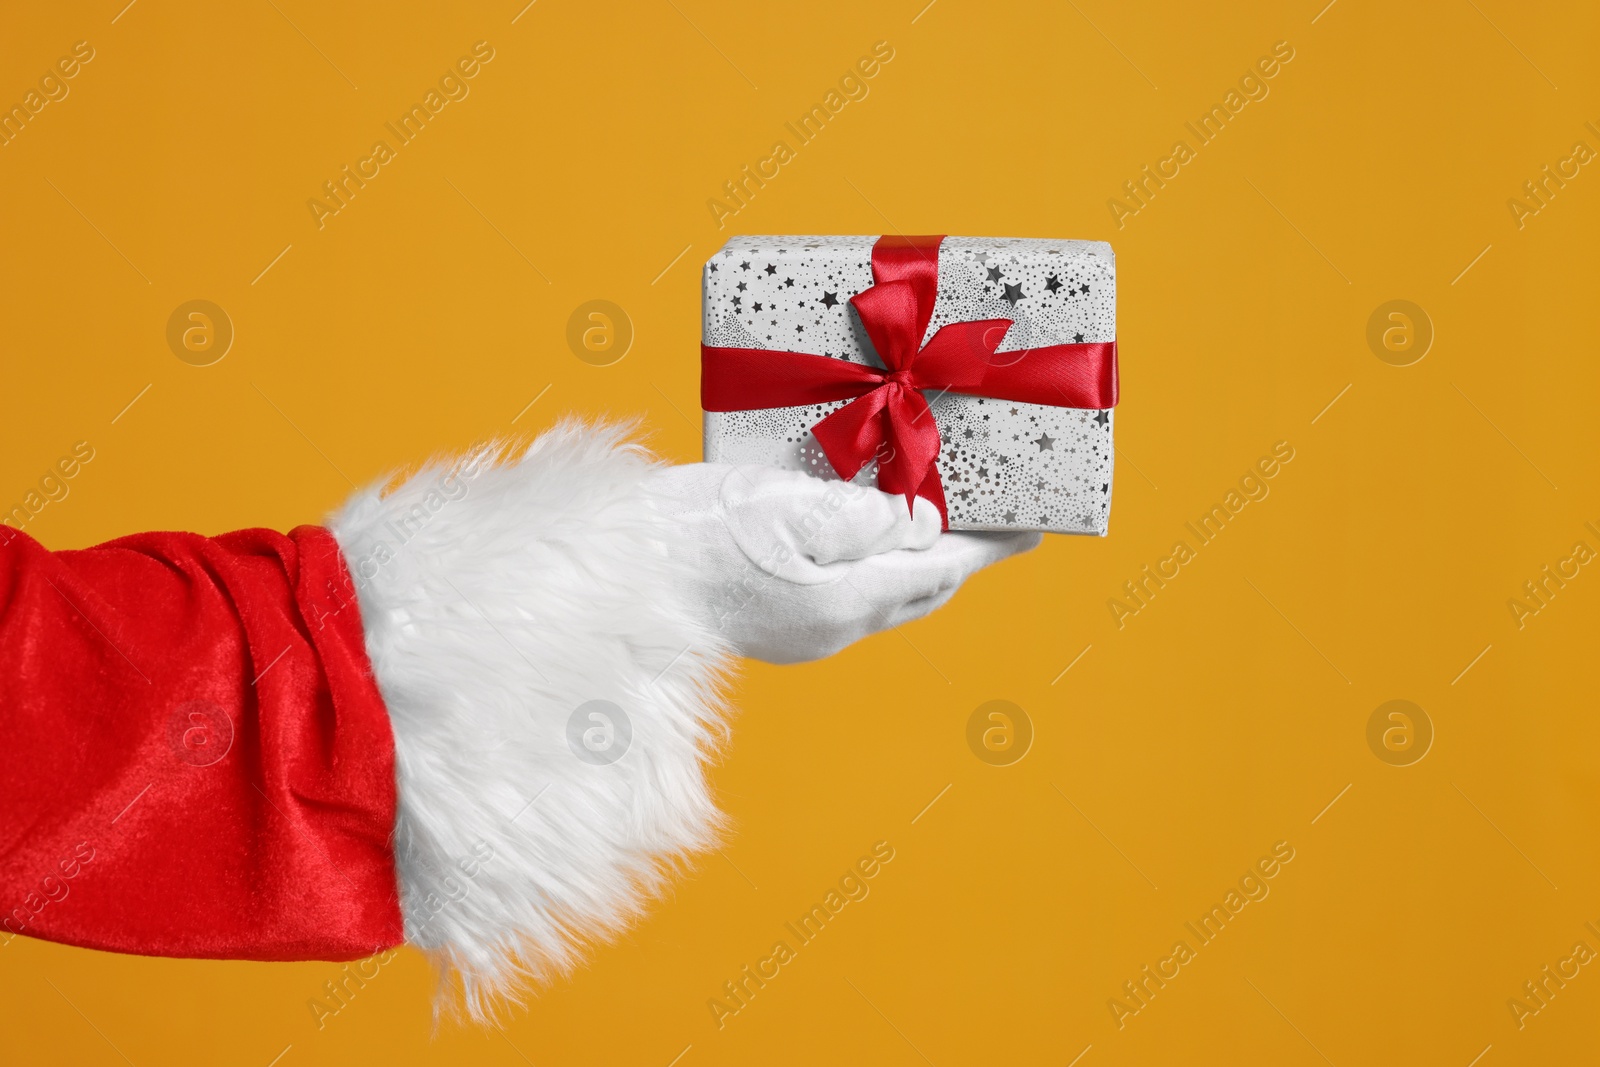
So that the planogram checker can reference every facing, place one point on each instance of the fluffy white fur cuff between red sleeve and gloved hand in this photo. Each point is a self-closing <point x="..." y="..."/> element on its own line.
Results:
<point x="553" y="697"/>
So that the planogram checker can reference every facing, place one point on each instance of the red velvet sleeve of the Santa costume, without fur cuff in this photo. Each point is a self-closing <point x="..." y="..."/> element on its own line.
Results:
<point x="194" y="756"/>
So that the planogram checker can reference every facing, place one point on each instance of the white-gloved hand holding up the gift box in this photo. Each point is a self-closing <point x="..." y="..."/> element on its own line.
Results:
<point x="796" y="569"/>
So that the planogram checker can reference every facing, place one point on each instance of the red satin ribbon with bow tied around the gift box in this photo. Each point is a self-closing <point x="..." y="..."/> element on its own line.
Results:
<point x="889" y="417"/>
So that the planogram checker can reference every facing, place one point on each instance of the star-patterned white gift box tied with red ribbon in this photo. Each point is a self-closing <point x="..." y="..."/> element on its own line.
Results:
<point x="975" y="372"/>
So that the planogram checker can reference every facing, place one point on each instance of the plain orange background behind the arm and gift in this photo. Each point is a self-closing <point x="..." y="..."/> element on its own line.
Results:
<point x="1177" y="751"/>
